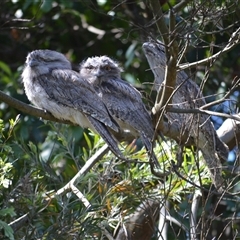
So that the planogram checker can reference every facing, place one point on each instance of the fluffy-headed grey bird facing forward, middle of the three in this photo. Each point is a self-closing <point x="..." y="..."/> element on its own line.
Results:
<point x="122" y="100"/>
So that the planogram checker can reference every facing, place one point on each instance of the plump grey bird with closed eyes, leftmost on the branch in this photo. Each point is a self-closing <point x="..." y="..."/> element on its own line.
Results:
<point x="51" y="84"/>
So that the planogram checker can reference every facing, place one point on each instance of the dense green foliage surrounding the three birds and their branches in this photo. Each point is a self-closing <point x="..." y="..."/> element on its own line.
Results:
<point x="38" y="158"/>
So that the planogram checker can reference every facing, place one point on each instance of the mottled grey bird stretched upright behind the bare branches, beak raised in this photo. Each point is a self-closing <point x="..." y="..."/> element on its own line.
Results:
<point x="189" y="96"/>
